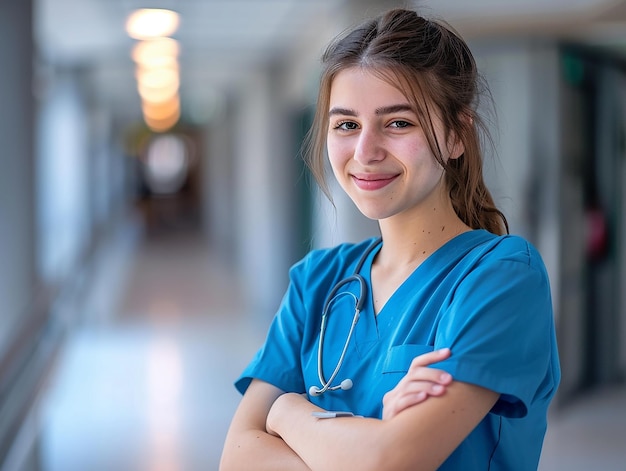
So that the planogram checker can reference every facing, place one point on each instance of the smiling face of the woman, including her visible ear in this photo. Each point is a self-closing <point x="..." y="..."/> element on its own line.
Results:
<point x="377" y="150"/>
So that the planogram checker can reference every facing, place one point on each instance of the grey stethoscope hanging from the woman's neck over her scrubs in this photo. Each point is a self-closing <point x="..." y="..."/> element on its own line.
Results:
<point x="359" y="301"/>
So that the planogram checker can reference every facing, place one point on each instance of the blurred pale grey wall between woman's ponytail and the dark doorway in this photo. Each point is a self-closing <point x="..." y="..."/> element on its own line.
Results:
<point x="524" y="174"/>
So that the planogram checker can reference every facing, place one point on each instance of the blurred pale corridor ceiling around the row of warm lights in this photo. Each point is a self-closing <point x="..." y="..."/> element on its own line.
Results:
<point x="222" y="39"/>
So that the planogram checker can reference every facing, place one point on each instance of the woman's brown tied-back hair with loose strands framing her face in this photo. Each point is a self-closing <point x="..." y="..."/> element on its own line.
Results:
<point x="434" y="68"/>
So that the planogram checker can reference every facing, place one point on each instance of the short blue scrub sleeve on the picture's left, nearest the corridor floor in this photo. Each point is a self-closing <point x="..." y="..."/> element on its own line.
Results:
<point x="278" y="361"/>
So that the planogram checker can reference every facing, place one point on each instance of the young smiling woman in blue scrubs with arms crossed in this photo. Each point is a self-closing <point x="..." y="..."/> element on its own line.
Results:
<point x="449" y="360"/>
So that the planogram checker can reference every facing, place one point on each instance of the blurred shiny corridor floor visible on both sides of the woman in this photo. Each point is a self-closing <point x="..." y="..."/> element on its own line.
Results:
<point x="145" y="380"/>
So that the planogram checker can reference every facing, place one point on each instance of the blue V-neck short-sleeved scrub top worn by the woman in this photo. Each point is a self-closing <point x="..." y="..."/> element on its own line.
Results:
<point x="486" y="297"/>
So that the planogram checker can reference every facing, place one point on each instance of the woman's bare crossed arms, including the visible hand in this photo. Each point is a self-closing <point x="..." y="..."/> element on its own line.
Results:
<point x="272" y="430"/>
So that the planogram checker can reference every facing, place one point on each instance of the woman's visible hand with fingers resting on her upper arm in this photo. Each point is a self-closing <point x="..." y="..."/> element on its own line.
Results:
<point x="418" y="384"/>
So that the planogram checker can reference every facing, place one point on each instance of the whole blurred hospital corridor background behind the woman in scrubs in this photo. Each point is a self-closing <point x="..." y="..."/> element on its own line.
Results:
<point x="152" y="199"/>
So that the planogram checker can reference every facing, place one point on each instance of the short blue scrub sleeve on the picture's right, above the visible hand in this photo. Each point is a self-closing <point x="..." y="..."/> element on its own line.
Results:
<point x="500" y="329"/>
